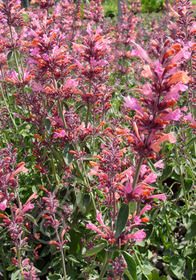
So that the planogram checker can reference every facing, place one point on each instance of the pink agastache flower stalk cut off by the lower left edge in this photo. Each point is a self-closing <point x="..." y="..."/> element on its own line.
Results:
<point x="15" y="222"/>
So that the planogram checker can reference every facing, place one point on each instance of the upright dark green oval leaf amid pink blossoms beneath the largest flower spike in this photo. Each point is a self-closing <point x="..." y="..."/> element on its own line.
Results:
<point x="122" y="219"/>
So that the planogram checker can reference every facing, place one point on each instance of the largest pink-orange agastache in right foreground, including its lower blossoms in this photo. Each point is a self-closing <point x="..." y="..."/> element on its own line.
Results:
<point x="155" y="108"/>
